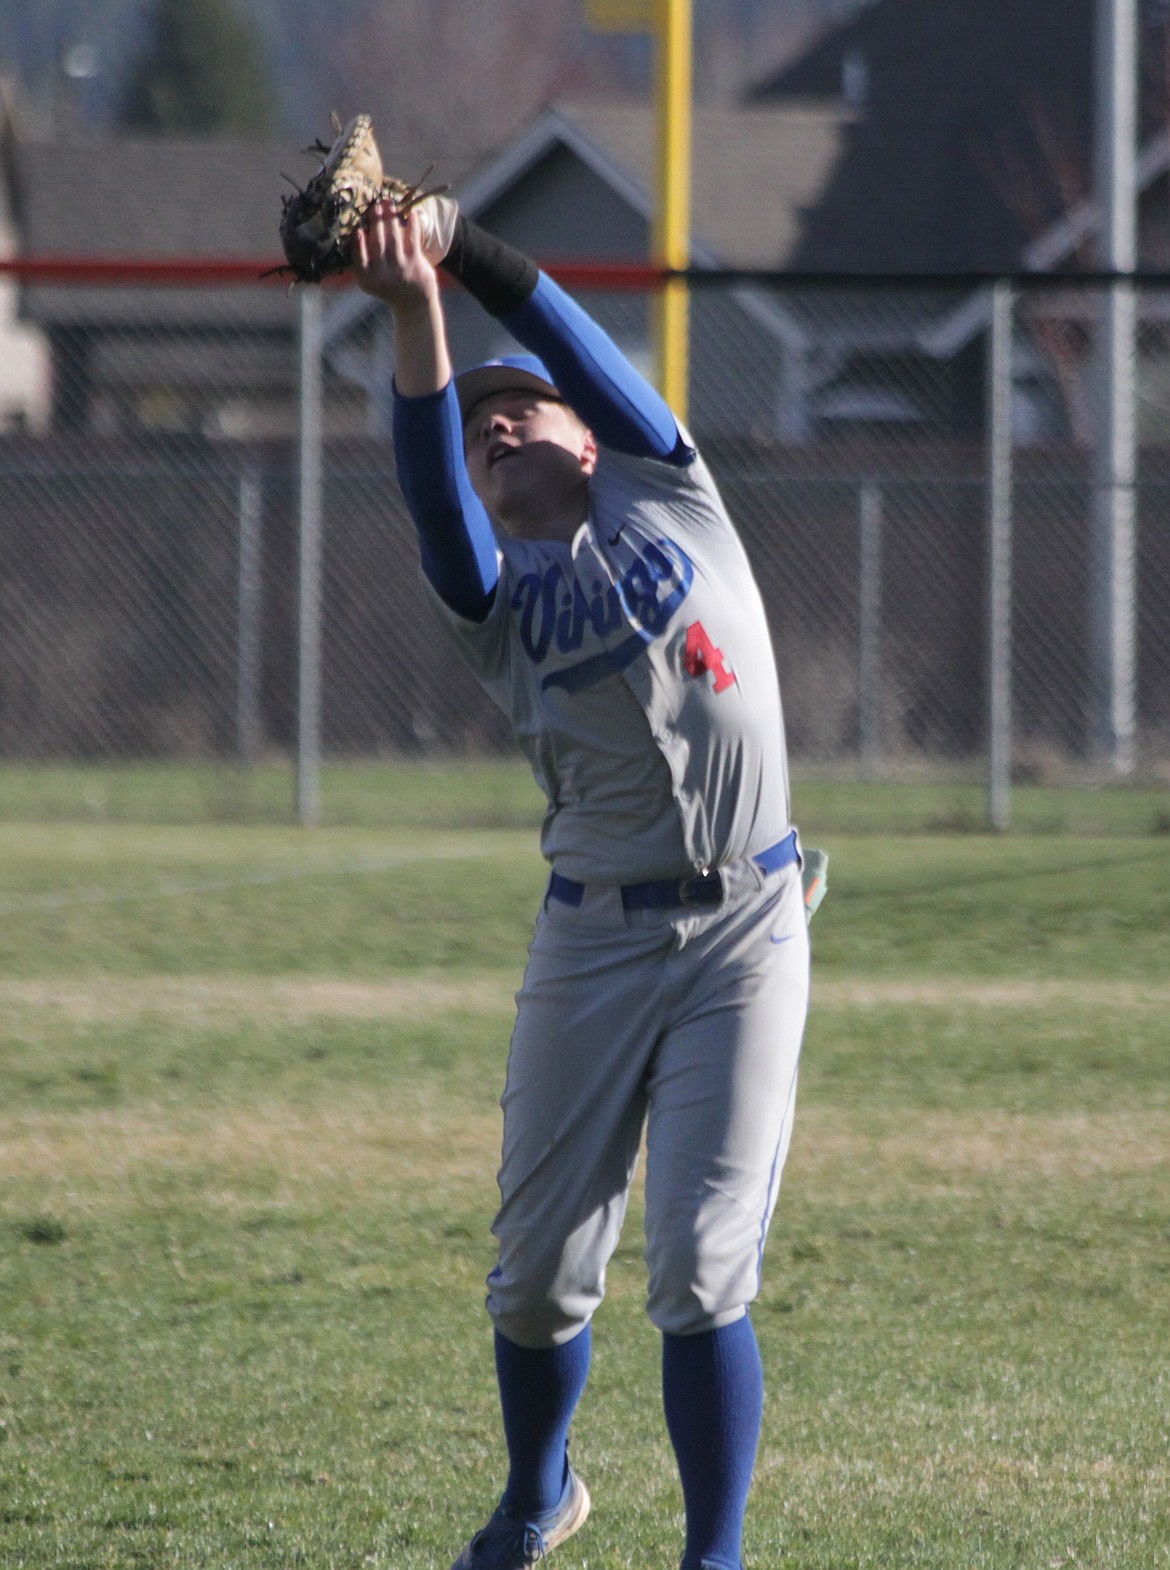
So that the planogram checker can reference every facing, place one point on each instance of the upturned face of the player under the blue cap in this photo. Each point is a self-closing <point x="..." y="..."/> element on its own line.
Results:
<point x="530" y="461"/>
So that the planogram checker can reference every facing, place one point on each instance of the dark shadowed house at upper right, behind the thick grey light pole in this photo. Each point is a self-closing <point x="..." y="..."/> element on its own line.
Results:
<point x="970" y="150"/>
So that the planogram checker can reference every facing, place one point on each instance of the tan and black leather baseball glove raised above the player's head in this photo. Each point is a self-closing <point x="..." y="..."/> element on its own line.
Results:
<point x="320" y="222"/>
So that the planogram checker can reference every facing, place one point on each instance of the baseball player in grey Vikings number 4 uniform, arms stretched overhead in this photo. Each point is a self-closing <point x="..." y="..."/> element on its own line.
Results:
<point x="577" y="550"/>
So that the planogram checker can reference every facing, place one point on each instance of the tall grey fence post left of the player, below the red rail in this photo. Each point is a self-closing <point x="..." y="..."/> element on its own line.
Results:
<point x="309" y="630"/>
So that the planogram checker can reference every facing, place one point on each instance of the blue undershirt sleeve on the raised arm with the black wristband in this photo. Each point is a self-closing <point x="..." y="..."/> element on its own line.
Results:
<point x="598" y="381"/>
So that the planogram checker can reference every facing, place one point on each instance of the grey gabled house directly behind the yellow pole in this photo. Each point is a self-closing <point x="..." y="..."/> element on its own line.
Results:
<point x="577" y="186"/>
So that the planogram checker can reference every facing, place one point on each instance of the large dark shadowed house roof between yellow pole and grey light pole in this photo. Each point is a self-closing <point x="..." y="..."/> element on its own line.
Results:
<point x="971" y="125"/>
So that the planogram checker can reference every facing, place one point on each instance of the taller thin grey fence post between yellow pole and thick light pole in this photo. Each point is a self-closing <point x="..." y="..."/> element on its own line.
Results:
<point x="1000" y="555"/>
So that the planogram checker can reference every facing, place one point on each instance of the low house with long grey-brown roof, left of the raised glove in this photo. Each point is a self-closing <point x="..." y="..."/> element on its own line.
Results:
<point x="125" y="359"/>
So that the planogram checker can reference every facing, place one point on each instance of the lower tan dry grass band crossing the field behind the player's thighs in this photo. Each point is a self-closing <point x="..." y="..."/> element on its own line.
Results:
<point x="368" y="1144"/>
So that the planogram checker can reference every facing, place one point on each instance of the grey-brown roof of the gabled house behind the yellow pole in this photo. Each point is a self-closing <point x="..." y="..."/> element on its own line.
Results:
<point x="755" y="170"/>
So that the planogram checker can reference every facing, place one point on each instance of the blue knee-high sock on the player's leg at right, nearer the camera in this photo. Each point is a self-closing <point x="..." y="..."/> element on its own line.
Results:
<point x="714" y="1398"/>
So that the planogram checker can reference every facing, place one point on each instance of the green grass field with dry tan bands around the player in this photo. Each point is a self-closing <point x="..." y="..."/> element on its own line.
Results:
<point x="247" y="1147"/>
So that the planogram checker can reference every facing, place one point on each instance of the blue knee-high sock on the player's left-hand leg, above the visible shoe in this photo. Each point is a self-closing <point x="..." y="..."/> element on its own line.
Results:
<point x="539" y="1390"/>
